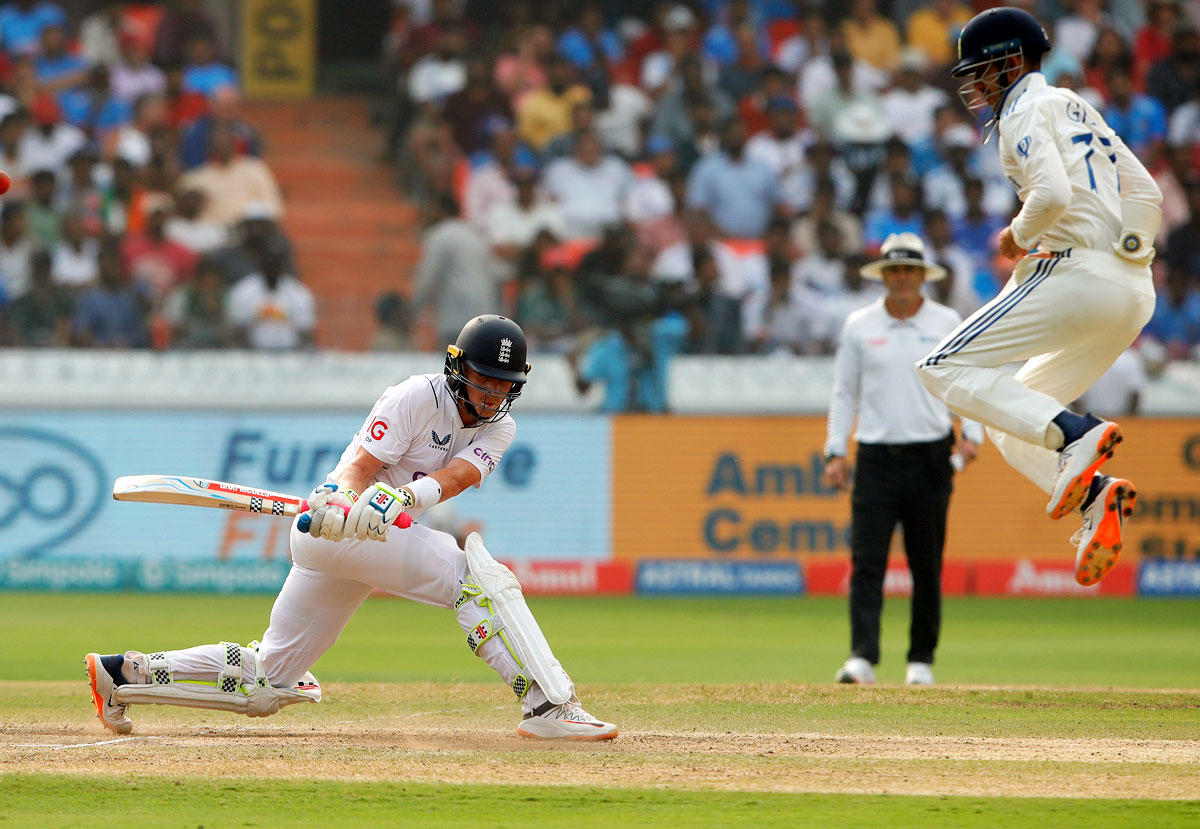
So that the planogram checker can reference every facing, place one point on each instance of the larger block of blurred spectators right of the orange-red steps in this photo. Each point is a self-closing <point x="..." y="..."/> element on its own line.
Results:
<point x="709" y="177"/>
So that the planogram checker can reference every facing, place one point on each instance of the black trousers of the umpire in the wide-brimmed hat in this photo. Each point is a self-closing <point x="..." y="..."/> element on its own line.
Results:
<point x="909" y="484"/>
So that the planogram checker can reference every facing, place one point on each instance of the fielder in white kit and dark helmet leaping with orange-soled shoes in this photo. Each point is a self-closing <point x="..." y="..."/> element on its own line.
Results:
<point x="1079" y="295"/>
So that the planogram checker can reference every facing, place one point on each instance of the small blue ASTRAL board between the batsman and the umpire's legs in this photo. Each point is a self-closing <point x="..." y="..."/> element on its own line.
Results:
<point x="670" y="576"/>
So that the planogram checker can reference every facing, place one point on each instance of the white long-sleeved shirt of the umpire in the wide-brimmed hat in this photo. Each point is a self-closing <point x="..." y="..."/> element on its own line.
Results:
<point x="875" y="379"/>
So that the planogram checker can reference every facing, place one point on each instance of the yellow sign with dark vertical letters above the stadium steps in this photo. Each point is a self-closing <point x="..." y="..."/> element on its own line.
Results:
<point x="279" y="52"/>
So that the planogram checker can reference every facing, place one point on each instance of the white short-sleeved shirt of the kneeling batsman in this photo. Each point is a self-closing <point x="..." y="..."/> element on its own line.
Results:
<point x="416" y="430"/>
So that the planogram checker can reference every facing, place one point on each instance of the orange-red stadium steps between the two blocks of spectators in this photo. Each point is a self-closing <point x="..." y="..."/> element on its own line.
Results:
<point x="353" y="236"/>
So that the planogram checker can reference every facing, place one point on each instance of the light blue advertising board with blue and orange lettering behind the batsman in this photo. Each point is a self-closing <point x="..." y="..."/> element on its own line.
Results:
<point x="549" y="498"/>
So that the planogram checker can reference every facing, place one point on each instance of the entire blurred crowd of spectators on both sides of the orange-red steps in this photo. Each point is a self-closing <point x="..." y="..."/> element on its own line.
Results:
<point x="701" y="177"/>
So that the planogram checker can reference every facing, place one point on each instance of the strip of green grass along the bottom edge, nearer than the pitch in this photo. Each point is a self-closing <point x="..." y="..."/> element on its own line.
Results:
<point x="70" y="802"/>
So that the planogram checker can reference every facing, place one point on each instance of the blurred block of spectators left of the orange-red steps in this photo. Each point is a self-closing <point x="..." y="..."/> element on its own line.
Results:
<point x="141" y="214"/>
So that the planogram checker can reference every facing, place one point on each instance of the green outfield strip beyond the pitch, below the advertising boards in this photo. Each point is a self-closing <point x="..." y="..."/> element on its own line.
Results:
<point x="1069" y="642"/>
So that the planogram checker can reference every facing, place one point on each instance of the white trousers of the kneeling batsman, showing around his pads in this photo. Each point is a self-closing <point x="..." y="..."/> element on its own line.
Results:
<point x="328" y="582"/>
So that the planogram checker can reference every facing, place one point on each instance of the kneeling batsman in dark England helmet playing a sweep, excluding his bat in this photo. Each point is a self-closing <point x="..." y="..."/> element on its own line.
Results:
<point x="427" y="440"/>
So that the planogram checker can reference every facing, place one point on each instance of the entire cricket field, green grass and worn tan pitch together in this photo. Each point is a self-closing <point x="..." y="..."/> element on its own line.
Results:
<point x="1064" y="713"/>
